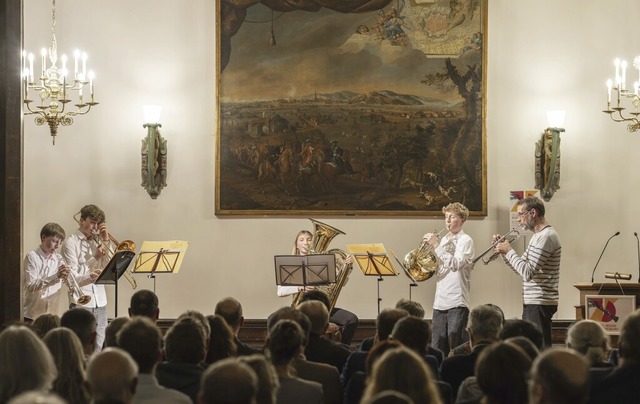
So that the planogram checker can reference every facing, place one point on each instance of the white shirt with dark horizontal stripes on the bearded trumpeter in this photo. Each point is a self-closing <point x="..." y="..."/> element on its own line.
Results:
<point x="539" y="267"/>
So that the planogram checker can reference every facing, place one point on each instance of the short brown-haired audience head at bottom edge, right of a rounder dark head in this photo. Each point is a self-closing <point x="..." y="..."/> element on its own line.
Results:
<point x="559" y="375"/>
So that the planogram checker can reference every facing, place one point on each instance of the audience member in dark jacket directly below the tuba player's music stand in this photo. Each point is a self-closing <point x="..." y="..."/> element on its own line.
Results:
<point x="319" y="348"/>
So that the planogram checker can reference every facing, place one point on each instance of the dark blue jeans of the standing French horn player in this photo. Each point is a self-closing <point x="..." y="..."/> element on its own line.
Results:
<point x="448" y="328"/>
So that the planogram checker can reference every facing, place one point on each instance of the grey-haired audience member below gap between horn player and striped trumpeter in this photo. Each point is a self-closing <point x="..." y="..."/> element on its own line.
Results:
<point x="485" y="323"/>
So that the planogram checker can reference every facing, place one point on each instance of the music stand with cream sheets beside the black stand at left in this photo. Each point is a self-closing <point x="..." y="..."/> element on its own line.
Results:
<point x="160" y="257"/>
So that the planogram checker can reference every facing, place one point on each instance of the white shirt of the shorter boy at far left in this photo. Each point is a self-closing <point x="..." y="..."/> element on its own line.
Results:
<point x="41" y="284"/>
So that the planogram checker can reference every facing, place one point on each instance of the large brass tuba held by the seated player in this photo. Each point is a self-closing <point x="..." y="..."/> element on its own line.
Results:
<point x="322" y="236"/>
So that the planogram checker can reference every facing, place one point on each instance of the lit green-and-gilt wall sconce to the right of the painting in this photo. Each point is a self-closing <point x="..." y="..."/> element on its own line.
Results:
<point x="547" y="165"/>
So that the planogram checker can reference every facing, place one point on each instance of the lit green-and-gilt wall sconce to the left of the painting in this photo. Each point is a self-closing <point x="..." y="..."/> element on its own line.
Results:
<point x="154" y="153"/>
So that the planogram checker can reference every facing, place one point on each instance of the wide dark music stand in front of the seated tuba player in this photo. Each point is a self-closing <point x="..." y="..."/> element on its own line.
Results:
<point x="305" y="270"/>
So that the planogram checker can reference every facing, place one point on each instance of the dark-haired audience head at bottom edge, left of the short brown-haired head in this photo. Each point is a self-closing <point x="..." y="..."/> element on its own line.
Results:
<point x="501" y="370"/>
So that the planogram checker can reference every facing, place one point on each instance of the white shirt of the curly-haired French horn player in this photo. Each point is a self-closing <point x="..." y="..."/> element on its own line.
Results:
<point x="453" y="276"/>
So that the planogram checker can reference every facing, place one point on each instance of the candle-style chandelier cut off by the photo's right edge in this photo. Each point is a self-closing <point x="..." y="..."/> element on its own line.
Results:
<point x="621" y="93"/>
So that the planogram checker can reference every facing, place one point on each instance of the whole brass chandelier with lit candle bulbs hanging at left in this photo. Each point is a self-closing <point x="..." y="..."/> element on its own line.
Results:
<point x="53" y="86"/>
